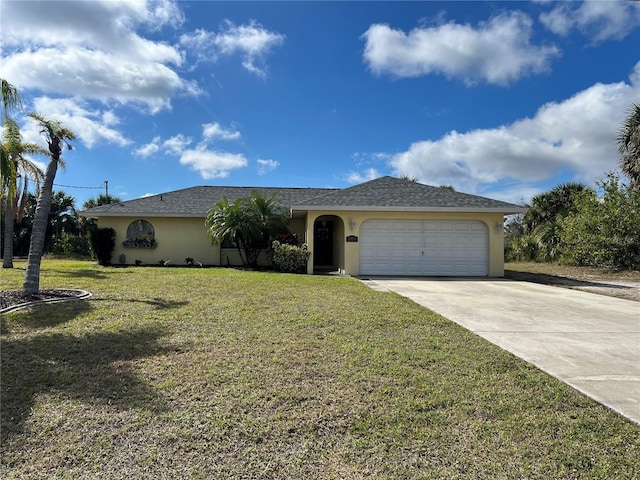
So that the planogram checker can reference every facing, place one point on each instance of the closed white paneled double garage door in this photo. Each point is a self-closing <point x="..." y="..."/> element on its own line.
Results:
<point x="424" y="247"/>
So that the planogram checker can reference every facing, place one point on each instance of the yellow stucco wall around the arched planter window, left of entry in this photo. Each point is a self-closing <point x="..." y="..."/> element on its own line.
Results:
<point x="177" y="239"/>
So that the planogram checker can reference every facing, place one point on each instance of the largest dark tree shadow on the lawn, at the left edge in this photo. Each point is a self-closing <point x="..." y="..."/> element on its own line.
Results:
<point x="95" y="368"/>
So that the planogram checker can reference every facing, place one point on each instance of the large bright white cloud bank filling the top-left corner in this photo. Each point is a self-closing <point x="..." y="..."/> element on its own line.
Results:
<point x="92" y="49"/>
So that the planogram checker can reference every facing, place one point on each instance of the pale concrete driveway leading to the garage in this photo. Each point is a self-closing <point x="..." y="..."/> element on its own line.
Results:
<point x="589" y="341"/>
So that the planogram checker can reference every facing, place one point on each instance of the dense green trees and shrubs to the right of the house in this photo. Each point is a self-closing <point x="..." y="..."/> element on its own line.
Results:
<point x="580" y="225"/>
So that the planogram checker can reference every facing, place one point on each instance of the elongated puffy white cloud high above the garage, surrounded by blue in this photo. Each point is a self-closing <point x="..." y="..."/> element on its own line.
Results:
<point x="498" y="51"/>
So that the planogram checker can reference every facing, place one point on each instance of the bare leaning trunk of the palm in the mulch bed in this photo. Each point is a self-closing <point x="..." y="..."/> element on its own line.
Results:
<point x="32" y="277"/>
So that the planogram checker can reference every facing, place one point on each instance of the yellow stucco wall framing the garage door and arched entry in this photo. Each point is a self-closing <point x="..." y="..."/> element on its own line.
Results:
<point x="350" y="251"/>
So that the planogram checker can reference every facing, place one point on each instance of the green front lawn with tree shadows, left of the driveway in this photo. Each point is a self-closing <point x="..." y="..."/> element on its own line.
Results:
<point x="219" y="373"/>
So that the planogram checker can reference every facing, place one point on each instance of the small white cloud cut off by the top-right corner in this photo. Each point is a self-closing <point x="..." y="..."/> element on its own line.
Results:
<point x="597" y="19"/>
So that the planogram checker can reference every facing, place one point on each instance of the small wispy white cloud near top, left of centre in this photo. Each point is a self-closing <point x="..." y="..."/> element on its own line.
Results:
<point x="251" y="41"/>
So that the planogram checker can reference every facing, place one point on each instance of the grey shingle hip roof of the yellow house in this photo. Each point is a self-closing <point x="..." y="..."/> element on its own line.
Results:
<point x="385" y="193"/>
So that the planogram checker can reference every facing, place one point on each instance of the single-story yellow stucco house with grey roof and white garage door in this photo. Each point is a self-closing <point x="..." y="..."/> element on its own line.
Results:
<point x="387" y="226"/>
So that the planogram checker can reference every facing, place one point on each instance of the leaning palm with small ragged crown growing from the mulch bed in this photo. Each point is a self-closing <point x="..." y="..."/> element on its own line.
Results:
<point x="56" y="136"/>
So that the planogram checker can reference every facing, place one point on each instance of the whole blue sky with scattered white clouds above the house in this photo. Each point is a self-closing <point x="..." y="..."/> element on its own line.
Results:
<point x="500" y="99"/>
